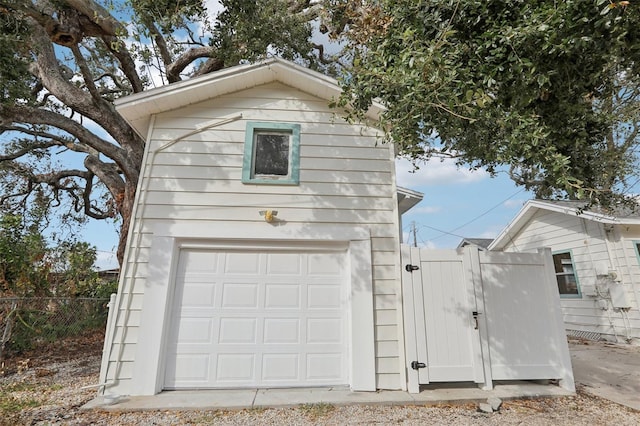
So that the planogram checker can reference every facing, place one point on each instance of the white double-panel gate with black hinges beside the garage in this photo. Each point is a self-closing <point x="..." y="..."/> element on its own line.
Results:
<point x="473" y="316"/>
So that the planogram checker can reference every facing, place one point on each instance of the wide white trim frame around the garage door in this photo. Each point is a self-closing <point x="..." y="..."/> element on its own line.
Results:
<point x="149" y="365"/>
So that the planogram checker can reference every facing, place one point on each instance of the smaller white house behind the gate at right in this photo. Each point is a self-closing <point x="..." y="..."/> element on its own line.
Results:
<point x="597" y="263"/>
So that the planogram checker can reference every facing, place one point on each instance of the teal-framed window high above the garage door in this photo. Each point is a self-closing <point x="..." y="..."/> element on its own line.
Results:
<point x="271" y="153"/>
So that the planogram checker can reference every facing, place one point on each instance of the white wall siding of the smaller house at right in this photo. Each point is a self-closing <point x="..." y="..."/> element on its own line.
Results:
<point x="595" y="249"/>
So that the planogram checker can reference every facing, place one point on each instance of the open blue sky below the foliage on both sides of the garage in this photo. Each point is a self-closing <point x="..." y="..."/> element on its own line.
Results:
<point x="457" y="203"/>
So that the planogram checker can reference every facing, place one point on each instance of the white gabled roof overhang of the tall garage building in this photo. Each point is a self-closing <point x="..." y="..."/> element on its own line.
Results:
<point x="138" y="108"/>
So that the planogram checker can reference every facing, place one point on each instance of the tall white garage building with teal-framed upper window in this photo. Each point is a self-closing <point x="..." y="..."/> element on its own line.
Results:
<point x="264" y="245"/>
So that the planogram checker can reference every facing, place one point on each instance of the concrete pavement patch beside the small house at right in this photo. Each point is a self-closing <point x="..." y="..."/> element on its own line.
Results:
<point x="607" y="370"/>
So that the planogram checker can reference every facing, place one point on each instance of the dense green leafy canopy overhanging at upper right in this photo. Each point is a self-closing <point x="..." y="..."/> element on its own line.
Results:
<point x="535" y="86"/>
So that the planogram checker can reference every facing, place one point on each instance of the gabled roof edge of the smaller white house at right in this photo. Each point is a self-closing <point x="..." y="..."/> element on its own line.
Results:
<point x="622" y="216"/>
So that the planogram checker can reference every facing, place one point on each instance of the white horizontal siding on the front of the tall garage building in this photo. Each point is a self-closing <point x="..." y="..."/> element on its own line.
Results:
<point x="346" y="178"/>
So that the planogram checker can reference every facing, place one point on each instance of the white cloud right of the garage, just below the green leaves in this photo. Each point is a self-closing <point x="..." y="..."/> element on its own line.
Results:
<point x="435" y="172"/>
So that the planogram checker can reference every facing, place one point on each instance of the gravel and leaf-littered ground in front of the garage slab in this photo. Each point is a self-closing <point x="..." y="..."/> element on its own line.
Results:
<point x="44" y="387"/>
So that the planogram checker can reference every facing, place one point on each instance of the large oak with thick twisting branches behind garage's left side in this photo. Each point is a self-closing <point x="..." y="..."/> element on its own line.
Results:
<point x="63" y="62"/>
